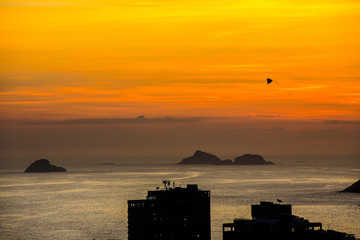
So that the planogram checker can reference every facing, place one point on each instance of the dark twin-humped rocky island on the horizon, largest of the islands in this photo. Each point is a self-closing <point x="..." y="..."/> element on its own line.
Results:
<point x="201" y="157"/>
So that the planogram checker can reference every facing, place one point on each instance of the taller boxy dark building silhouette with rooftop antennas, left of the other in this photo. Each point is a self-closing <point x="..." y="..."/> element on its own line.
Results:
<point x="173" y="213"/>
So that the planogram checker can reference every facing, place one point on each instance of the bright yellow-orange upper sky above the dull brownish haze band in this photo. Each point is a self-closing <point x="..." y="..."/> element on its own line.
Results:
<point x="88" y="59"/>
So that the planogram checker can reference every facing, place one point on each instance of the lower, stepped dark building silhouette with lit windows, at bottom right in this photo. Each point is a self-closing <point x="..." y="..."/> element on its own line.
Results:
<point x="275" y="221"/>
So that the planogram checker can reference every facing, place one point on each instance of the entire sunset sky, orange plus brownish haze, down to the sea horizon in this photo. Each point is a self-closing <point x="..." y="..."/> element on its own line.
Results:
<point x="77" y="60"/>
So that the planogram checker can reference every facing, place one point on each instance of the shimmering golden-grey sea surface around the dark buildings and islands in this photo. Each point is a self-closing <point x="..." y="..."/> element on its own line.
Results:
<point x="90" y="201"/>
